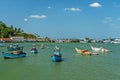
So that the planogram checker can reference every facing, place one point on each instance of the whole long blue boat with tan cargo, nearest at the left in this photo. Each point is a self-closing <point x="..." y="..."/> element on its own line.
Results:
<point x="14" y="54"/>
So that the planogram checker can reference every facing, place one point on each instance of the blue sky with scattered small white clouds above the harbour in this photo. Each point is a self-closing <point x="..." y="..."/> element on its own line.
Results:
<point x="63" y="18"/>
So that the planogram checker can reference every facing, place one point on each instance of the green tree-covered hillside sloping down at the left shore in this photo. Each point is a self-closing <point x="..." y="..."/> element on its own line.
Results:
<point x="9" y="31"/>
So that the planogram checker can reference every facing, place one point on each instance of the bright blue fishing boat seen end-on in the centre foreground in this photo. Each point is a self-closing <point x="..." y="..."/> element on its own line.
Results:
<point x="57" y="56"/>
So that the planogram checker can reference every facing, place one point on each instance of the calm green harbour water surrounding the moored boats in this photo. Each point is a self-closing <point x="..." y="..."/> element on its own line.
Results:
<point x="105" y="66"/>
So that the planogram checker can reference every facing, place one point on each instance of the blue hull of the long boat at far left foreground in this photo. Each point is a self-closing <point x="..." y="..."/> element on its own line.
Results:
<point x="11" y="55"/>
